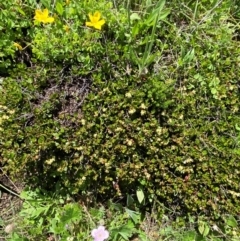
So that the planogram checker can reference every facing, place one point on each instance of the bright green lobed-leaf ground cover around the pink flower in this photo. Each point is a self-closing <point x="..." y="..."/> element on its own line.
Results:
<point x="42" y="217"/>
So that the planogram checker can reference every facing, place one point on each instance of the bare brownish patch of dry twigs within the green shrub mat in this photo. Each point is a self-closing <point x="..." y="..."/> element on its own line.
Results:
<point x="61" y="96"/>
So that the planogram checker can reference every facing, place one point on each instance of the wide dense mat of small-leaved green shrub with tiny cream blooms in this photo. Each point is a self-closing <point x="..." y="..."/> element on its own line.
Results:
<point x="84" y="124"/>
